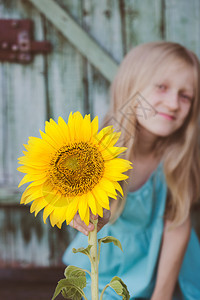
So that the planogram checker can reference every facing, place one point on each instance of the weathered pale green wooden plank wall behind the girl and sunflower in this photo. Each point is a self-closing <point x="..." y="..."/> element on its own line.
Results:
<point x="65" y="81"/>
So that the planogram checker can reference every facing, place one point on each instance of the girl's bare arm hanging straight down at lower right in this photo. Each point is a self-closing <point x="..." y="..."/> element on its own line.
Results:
<point x="173" y="248"/>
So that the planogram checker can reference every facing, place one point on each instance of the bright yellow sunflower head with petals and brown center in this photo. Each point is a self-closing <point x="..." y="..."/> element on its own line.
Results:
<point x="72" y="168"/>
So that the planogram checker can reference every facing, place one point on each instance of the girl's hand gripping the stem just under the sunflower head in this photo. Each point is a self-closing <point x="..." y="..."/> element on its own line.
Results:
<point x="78" y="224"/>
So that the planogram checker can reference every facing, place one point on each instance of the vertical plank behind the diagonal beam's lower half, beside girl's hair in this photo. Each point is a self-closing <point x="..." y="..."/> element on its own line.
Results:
<point x="96" y="13"/>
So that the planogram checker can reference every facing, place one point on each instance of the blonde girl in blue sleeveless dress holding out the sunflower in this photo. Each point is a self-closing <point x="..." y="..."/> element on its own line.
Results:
<point x="155" y="100"/>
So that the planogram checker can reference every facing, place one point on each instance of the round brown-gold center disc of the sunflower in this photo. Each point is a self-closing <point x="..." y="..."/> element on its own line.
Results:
<point x="76" y="169"/>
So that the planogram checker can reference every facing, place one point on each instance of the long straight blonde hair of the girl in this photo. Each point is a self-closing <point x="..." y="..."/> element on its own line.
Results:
<point x="180" y="150"/>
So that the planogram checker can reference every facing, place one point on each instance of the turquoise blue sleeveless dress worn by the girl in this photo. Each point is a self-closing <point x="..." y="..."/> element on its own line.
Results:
<point x="139" y="229"/>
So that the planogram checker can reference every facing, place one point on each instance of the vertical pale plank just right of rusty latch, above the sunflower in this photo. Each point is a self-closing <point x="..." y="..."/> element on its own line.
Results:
<point x="64" y="72"/>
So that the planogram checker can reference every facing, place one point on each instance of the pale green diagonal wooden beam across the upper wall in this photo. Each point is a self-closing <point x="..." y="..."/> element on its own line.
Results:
<point x="78" y="37"/>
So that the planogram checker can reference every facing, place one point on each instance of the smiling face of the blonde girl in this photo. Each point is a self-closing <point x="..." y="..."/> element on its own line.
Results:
<point x="171" y="94"/>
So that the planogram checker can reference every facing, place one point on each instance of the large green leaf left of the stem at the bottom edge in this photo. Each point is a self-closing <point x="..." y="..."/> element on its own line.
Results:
<point x="72" y="286"/>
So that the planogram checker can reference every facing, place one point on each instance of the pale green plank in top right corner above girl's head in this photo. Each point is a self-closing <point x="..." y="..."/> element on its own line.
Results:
<point x="183" y="23"/>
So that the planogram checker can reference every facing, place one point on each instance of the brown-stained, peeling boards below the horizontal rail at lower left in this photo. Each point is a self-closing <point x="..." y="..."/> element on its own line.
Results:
<point x="26" y="241"/>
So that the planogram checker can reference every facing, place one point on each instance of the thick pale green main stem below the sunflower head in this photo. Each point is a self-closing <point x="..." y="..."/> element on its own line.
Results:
<point x="92" y="240"/>
